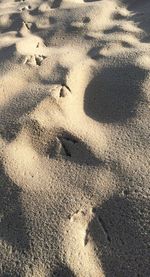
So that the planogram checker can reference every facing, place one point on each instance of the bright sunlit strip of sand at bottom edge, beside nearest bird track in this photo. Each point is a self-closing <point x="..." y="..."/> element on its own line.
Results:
<point x="79" y="242"/>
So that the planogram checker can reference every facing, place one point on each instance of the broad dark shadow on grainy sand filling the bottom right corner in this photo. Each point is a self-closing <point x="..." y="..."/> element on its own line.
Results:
<point x="120" y="229"/>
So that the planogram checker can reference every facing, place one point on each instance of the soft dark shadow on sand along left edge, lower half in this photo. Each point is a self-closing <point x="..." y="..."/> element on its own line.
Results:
<point x="13" y="223"/>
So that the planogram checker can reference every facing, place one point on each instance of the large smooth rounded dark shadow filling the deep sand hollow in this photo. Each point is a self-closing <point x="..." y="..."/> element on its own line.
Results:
<point x="114" y="94"/>
